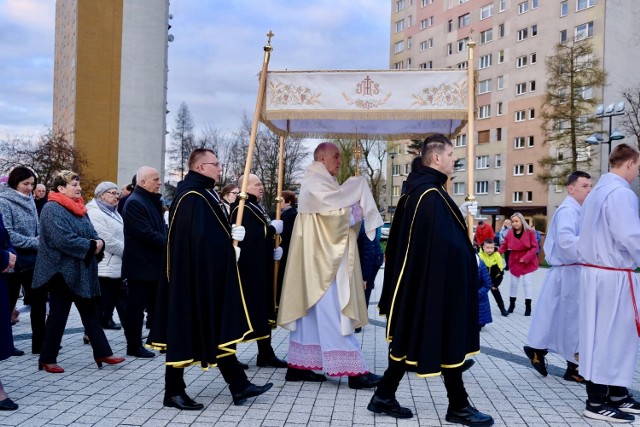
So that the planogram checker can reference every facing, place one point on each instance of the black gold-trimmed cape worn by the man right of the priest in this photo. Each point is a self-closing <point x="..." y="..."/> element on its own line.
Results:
<point x="430" y="293"/>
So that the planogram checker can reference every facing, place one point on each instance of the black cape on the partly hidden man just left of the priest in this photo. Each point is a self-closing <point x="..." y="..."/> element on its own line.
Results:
<point x="256" y="267"/>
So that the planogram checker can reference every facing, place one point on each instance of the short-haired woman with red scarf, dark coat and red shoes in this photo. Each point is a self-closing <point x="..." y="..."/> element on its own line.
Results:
<point x="67" y="264"/>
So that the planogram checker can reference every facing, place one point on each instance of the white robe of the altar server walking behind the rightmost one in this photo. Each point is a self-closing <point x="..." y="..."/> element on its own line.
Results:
<point x="554" y="325"/>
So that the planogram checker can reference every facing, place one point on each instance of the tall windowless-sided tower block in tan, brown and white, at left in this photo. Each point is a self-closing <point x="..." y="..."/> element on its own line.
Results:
<point x="110" y="82"/>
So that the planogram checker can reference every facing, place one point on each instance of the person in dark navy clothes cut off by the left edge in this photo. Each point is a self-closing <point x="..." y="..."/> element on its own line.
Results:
<point x="7" y="262"/>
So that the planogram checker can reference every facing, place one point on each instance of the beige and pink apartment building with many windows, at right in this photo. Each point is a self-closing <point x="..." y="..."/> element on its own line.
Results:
<point x="513" y="39"/>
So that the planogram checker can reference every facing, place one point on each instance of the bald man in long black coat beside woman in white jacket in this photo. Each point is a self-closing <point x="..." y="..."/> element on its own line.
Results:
<point x="145" y="235"/>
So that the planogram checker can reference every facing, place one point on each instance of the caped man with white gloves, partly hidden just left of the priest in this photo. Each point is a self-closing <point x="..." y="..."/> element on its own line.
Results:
<point x="256" y="269"/>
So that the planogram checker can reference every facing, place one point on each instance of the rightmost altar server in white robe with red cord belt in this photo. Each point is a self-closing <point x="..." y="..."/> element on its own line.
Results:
<point x="609" y="251"/>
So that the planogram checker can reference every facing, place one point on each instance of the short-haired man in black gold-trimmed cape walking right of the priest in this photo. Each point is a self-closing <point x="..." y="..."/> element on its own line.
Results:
<point x="430" y="293"/>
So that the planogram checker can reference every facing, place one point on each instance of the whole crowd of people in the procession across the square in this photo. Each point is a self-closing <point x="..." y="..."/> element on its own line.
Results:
<point x="216" y="270"/>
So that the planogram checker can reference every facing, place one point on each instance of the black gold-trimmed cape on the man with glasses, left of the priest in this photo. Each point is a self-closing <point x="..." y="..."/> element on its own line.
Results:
<point x="200" y="309"/>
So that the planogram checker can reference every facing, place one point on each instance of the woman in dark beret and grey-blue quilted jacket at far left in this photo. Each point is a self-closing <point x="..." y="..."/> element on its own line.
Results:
<point x="21" y="221"/>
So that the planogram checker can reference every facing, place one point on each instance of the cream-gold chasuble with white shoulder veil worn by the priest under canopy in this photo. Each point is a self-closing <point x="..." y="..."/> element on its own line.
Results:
<point x="324" y="247"/>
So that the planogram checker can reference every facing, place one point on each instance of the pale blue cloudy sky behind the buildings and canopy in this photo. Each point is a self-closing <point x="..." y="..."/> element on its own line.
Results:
<point x="214" y="59"/>
